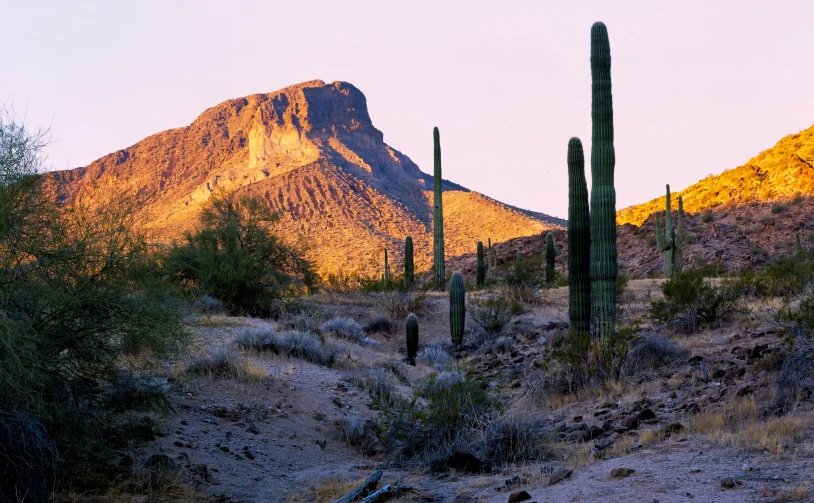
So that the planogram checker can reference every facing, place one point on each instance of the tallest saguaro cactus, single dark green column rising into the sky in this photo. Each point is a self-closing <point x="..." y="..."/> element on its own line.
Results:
<point x="603" y="193"/>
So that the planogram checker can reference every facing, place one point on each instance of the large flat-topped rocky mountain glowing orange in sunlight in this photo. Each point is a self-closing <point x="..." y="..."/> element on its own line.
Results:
<point x="313" y="153"/>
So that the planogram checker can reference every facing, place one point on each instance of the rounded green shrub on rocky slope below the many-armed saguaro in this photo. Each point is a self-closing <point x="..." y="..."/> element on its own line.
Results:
<point x="690" y="303"/>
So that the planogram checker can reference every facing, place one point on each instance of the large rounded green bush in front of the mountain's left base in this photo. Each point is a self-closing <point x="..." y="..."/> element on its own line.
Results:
<point x="235" y="257"/>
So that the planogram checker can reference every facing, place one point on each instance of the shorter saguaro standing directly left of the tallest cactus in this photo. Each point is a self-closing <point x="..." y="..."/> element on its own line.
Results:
<point x="579" y="241"/>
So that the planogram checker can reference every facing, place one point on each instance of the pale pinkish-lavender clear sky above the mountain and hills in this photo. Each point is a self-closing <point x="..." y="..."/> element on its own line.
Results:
<point x="698" y="86"/>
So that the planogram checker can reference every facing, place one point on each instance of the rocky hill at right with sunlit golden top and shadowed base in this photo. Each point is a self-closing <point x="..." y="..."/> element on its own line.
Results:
<point x="742" y="218"/>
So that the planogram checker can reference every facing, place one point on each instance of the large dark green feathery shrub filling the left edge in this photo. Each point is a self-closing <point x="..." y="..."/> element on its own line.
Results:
<point x="78" y="300"/>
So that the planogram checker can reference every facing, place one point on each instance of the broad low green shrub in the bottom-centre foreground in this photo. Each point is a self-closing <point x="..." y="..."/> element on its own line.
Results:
<point x="457" y="413"/>
